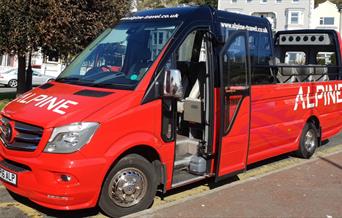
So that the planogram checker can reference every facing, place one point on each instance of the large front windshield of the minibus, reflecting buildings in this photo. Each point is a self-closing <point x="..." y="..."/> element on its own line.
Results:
<point x="119" y="57"/>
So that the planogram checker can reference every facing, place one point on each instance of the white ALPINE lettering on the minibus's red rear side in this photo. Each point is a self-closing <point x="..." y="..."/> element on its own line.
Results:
<point x="323" y="95"/>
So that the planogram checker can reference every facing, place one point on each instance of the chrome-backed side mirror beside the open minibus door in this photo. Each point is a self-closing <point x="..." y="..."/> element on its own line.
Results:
<point x="173" y="84"/>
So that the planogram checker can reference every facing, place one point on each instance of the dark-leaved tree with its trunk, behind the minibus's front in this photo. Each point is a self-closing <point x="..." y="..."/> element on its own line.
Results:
<point x="64" y="27"/>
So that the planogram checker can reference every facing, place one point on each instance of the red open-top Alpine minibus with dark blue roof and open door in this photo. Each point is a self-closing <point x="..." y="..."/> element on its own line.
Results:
<point x="165" y="98"/>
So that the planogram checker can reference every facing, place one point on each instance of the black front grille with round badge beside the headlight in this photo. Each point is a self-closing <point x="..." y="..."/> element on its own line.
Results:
<point x="21" y="136"/>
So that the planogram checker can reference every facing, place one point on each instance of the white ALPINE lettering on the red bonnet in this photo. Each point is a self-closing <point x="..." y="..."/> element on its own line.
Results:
<point x="50" y="103"/>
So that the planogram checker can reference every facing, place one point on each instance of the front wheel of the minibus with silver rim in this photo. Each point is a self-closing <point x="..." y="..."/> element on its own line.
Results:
<point x="129" y="187"/>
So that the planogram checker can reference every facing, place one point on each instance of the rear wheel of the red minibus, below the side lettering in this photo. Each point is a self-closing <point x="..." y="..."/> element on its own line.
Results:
<point x="308" y="141"/>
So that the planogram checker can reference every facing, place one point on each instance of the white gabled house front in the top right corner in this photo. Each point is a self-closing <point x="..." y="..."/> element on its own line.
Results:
<point x="326" y="16"/>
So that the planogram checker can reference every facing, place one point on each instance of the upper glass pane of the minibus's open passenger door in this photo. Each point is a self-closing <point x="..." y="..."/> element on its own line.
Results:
<point x="235" y="63"/>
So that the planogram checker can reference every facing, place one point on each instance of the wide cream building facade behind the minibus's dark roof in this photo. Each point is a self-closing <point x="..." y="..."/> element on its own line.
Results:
<point x="282" y="14"/>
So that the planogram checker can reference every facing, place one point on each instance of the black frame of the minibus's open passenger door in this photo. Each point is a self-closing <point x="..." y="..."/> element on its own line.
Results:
<point x="247" y="92"/>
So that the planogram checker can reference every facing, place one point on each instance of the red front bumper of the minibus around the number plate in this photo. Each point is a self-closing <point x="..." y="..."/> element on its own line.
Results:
<point x="39" y="179"/>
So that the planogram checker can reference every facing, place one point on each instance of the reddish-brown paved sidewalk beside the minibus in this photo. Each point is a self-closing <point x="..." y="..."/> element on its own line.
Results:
<point x="312" y="189"/>
